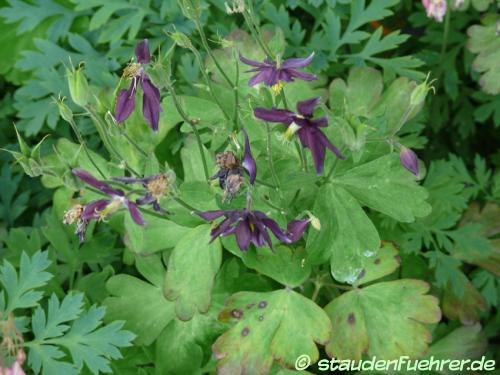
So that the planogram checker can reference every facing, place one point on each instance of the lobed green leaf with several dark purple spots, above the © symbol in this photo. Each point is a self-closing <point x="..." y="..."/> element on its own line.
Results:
<point x="292" y="325"/>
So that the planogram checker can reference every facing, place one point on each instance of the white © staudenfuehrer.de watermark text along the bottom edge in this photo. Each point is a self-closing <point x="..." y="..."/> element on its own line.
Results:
<point x="401" y="364"/>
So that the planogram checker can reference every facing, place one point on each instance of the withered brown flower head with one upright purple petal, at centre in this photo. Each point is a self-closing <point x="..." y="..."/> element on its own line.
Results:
<point x="230" y="173"/>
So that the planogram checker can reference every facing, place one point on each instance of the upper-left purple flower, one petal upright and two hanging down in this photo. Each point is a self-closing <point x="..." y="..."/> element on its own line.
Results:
<point x="125" y="103"/>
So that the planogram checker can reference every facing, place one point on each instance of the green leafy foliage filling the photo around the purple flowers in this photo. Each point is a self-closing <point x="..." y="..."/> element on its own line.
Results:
<point x="159" y="300"/>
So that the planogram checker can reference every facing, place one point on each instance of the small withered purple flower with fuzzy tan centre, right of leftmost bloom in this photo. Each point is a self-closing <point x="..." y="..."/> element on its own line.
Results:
<point x="157" y="186"/>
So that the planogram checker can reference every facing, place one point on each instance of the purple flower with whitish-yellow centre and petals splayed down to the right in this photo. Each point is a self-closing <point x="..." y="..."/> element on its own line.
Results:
<point x="307" y="128"/>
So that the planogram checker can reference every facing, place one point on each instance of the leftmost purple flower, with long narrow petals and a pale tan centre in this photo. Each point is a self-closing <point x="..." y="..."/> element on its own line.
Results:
<point x="99" y="209"/>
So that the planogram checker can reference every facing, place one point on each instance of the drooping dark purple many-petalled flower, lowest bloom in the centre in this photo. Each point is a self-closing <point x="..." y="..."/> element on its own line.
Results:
<point x="248" y="227"/>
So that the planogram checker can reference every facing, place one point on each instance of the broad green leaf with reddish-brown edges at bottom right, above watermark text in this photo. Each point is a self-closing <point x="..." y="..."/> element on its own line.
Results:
<point x="390" y="321"/>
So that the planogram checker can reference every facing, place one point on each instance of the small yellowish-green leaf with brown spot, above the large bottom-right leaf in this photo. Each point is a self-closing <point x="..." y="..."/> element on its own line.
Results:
<point x="380" y="264"/>
